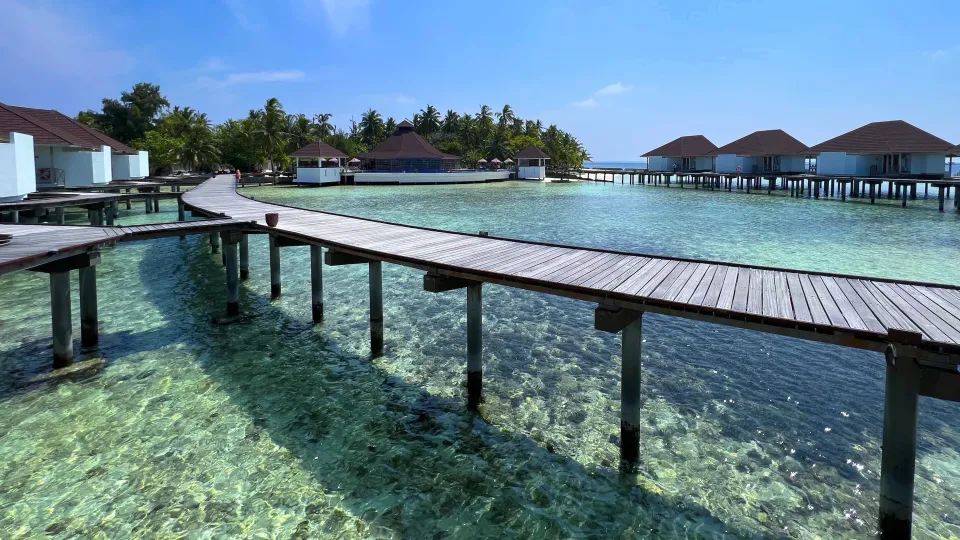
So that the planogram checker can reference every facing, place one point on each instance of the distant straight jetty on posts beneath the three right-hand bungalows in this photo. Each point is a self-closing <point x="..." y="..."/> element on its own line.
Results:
<point x="799" y="185"/>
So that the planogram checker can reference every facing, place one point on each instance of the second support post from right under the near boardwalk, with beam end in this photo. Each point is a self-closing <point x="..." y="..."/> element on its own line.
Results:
<point x="613" y="319"/>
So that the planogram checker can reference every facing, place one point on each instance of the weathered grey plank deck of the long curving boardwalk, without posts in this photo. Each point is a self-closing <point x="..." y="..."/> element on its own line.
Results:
<point x="826" y="307"/>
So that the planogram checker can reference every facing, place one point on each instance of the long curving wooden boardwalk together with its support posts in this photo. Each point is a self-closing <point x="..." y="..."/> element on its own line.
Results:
<point x="916" y="325"/>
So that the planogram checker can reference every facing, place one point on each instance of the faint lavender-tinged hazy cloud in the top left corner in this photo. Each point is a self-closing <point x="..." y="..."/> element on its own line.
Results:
<point x="50" y="41"/>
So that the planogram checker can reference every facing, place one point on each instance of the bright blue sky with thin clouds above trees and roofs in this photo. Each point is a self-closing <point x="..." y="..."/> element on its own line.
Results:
<point x="624" y="77"/>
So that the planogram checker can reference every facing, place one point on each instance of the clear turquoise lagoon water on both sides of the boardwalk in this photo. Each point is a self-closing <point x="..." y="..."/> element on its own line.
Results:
<point x="176" y="427"/>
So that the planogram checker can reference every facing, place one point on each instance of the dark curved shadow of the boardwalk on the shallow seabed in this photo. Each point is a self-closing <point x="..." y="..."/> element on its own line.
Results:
<point x="409" y="464"/>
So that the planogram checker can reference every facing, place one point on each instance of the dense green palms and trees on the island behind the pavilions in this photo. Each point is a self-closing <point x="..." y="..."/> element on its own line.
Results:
<point x="181" y="136"/>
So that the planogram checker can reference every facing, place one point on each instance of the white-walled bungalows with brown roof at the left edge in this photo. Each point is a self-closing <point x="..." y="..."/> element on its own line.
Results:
<point x="63" y="152"/>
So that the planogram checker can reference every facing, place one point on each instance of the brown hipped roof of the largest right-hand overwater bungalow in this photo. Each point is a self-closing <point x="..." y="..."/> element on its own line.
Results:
<point x="890" y="137"/>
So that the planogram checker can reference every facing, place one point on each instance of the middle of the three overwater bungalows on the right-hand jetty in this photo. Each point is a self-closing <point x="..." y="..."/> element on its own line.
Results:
<point x="767" y="151"/>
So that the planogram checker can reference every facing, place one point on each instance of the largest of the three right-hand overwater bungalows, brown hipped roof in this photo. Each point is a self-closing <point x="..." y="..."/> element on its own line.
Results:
<point x="892" y="148"/>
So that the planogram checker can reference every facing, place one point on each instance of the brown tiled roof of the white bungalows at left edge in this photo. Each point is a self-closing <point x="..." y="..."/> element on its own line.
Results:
<point x="56" y="129"/>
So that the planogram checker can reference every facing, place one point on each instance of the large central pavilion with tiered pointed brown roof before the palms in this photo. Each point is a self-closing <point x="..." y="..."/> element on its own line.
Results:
<point x="407" y="151"/>
